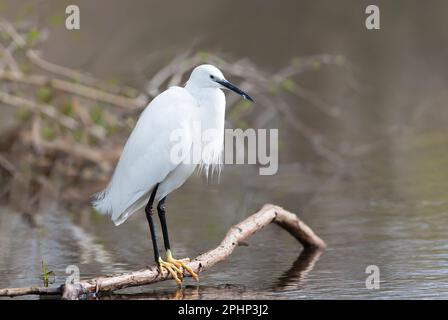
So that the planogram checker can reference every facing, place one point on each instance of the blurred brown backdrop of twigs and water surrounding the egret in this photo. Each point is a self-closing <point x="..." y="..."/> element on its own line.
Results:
<point x="363" y="141"/>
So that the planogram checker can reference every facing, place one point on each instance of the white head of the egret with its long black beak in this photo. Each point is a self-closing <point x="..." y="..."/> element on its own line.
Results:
<point x="208" y="76"/>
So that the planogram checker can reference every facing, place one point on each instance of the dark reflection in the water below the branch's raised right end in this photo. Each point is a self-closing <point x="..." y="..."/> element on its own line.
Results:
<point x="299" y="270"/>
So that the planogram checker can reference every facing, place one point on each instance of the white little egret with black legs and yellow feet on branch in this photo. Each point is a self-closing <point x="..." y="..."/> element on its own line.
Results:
<point x="146" y="172"/>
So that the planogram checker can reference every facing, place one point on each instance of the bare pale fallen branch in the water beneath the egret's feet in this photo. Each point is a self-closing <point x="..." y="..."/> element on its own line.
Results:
<point x="235" y="236"/>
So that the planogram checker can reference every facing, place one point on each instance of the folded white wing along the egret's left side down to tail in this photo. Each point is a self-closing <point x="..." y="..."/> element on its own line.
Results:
<point x="147" y="155"/>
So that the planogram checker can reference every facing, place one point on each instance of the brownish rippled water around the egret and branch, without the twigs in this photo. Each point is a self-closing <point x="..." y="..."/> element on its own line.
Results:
<point x="387" y="207"/>
